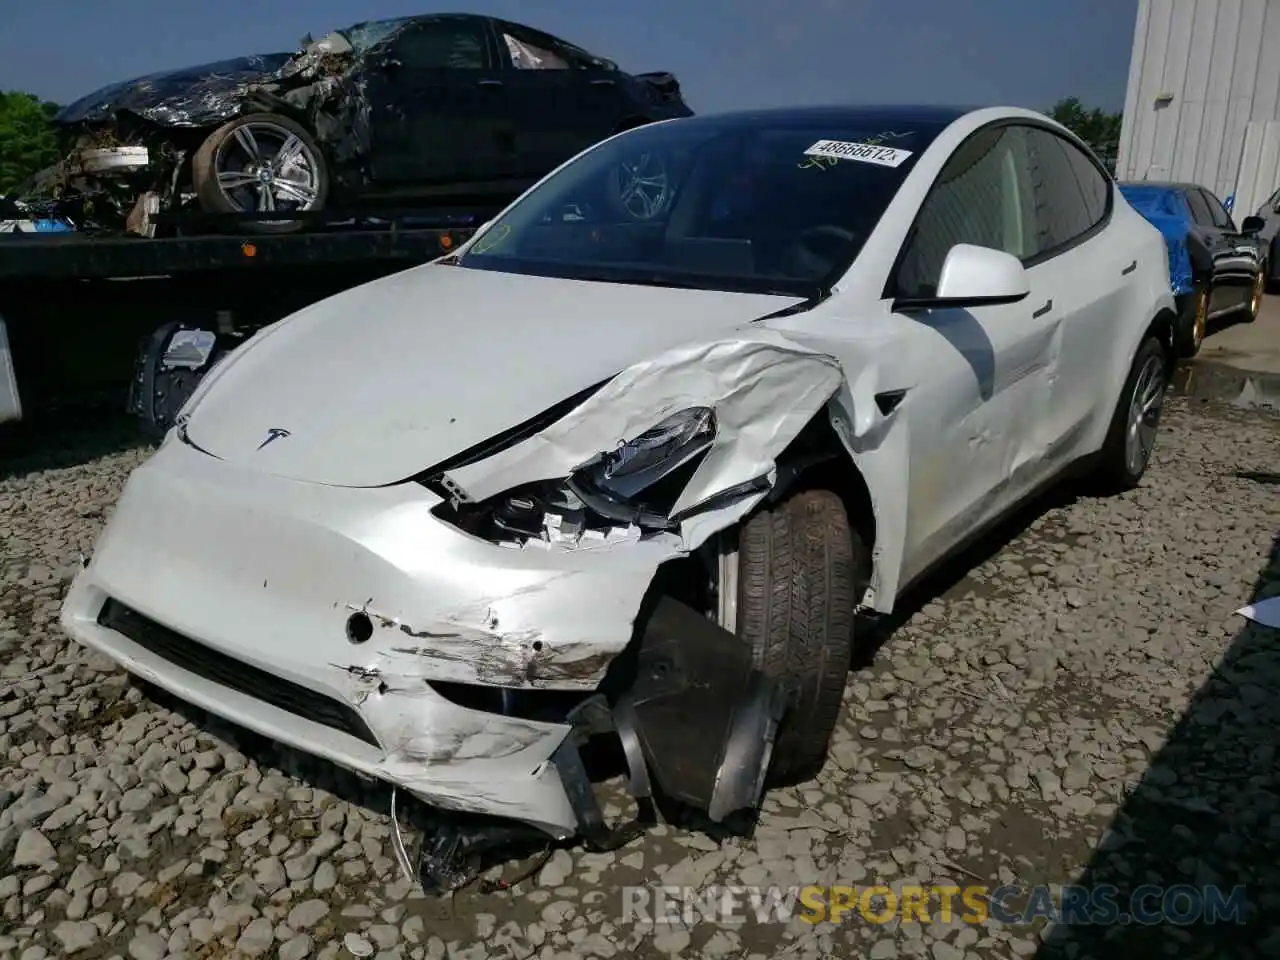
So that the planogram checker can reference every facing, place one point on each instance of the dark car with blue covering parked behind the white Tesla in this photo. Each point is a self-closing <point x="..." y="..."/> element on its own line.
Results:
<point x="1217" y="268"/>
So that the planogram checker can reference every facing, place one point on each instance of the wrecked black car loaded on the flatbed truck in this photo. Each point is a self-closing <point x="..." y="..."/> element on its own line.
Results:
<point x="436" y="109"/>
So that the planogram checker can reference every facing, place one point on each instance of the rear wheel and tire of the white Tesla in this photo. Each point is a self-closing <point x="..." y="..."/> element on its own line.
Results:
<point x="1136" y="420"/>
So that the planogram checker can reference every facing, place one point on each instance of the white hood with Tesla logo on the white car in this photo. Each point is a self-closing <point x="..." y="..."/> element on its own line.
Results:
<point x="383" y="381"/>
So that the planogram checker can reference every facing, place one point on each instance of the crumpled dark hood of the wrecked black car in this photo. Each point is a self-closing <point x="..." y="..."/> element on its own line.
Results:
<point x="193" y="97"/>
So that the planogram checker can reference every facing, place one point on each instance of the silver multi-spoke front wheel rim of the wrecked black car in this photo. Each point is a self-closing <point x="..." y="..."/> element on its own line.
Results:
<point x="266" y="168"/>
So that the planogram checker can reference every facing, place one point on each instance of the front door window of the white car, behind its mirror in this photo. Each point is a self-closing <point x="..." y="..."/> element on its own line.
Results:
<point x="984" y="196"/>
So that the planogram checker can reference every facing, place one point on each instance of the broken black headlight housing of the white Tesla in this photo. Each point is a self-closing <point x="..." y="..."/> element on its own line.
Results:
<point x="636" y="484"/>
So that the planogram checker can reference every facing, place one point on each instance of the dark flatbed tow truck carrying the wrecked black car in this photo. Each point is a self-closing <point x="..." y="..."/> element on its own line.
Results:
<point x="140" y="321"/>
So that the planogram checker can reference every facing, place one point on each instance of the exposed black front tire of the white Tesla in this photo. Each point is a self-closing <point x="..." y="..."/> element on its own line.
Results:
<point x="798" y="564"/>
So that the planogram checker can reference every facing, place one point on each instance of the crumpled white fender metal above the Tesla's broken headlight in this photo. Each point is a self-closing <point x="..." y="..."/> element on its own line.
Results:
<point x="762" y="386"/>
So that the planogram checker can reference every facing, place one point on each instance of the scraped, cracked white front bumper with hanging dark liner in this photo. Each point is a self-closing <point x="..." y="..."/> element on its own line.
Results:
<point x="358" y="627"/>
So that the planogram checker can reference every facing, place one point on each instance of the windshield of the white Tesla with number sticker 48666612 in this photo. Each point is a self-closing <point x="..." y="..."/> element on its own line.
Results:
<point x="753" y="205"/>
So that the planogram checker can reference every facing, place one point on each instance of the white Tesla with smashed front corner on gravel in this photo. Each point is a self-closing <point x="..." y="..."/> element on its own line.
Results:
<point x="606" y="477"/>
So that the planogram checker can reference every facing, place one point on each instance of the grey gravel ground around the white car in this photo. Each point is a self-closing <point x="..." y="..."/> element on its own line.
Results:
<point x="1076" y="705"/>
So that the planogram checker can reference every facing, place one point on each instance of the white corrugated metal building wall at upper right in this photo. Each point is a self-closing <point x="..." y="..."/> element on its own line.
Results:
<point x="1201" y="71"/>
